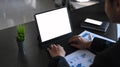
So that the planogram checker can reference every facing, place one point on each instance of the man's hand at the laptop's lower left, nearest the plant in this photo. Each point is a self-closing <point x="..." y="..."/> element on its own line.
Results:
<point x="56" y="50"/>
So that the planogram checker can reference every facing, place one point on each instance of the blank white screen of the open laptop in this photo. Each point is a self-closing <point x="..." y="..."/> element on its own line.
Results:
<point x="53" y="24"/>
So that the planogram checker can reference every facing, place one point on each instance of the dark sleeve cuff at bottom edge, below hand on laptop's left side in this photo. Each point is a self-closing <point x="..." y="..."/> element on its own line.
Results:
<point x="58" y="62"/>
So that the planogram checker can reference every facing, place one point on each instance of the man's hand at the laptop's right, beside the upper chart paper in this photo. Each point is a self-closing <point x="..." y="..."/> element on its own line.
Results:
<point x="79" y="42"/>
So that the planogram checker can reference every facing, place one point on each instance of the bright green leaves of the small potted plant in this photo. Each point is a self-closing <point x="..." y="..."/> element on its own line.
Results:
<point x="20" y="33"/>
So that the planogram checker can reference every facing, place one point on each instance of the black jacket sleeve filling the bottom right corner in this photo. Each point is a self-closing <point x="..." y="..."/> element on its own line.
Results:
<point x="108" y="58"/>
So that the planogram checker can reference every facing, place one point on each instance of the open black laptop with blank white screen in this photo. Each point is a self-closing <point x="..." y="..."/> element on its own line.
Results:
<point x="54" y="27"/>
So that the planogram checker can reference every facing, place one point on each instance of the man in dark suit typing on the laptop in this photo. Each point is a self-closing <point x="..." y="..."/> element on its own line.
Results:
<point x="107" y="58"/>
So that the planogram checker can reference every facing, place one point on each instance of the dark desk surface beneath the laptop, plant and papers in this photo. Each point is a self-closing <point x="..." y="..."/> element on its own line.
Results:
<point x="34" y="56"/>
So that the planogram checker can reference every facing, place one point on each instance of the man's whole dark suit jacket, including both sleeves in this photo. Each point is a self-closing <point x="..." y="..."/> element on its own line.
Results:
<point x="109" y="57"/>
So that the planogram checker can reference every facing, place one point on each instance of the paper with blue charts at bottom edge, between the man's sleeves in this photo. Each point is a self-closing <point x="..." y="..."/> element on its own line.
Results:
<point x="80" y="58"/>
